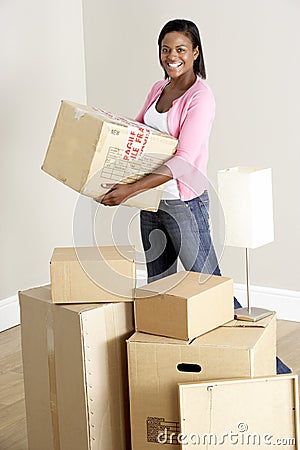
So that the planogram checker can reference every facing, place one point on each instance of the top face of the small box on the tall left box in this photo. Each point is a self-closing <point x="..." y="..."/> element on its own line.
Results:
<point x="123" y="252"/>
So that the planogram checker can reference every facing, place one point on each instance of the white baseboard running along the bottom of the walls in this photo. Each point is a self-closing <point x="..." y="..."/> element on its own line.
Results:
<point x="286" y="303"/>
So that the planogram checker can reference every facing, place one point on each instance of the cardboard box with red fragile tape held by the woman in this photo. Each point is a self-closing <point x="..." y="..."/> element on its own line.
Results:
<point x="90" y="146"/>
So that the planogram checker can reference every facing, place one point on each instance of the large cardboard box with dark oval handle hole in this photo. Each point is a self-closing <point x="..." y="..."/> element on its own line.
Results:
<point x="156" y="364"/>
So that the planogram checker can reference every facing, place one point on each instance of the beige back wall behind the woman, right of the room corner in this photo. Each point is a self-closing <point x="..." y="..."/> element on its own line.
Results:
<point x="252" y="57"/>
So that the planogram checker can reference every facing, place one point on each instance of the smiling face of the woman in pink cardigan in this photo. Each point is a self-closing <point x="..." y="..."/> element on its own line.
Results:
<point x="177" y="54"/>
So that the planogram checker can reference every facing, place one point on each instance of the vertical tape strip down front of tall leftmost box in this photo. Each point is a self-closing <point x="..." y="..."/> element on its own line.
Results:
<point x="52" y="376"/>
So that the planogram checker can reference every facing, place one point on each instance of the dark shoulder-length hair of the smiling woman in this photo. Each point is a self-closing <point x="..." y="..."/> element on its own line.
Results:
<point x="190" y="30"/>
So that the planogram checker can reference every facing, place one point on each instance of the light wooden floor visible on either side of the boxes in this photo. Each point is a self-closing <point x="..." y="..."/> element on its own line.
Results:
<point x="13" y="434"/>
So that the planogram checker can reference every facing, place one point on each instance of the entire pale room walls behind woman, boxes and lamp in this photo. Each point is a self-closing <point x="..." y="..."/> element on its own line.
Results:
<point x="252" y="57"/>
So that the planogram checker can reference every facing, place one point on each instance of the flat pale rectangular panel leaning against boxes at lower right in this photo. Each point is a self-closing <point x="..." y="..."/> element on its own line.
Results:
<point x="259" y="413"/>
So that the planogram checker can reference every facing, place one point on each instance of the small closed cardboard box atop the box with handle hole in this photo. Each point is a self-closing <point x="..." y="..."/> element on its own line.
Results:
<point x="184" y="305"/>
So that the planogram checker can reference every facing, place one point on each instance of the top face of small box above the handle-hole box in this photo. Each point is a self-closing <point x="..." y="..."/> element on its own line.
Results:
<point x="182" y="284"/>
